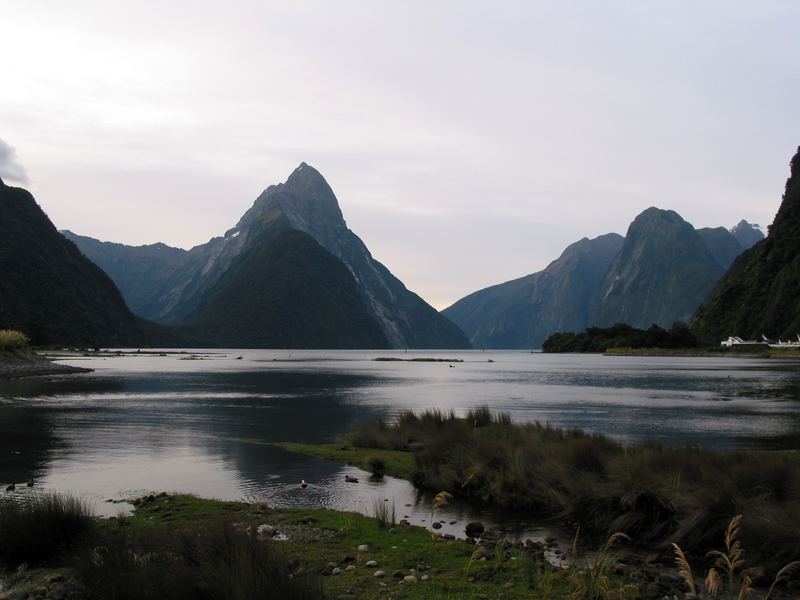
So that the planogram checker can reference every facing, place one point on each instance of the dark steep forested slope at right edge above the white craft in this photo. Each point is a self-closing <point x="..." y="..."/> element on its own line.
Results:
<point x="761" y="292"/>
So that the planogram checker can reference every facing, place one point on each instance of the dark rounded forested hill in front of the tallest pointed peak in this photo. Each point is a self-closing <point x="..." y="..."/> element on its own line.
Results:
<point x="285" y="291"/>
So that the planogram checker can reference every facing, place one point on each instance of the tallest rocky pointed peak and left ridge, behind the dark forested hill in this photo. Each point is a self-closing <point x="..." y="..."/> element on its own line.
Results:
<point x="174" y="284"/>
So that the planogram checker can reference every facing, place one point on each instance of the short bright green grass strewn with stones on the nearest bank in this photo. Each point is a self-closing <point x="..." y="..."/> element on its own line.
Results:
<point x="335" y="538"/>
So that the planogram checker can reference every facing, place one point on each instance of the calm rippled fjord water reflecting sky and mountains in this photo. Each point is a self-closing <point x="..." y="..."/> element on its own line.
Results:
<point x="145" y="422"/>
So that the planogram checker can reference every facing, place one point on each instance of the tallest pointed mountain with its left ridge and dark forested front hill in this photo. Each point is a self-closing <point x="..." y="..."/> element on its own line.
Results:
<point x="214" y="290"/>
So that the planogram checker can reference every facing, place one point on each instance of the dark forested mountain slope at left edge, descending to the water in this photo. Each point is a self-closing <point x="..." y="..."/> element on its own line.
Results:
<point x="53" y="293"/>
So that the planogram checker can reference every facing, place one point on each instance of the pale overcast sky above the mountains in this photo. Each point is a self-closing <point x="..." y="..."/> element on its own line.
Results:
<point x="468" y="143"/>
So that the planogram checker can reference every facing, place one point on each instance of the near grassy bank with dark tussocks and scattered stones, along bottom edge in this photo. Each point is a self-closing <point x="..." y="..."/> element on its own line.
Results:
<point x="186" y="547"/>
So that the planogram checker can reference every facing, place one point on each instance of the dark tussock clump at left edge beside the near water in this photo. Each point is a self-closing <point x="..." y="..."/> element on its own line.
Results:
<point x="38" y="529"/>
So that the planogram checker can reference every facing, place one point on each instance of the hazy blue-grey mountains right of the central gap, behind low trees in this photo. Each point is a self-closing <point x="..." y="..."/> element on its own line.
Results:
<point x="659" y="273"/>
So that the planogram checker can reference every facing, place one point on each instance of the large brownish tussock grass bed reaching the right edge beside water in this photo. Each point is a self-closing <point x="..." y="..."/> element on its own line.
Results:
<point x="654" y="495"/>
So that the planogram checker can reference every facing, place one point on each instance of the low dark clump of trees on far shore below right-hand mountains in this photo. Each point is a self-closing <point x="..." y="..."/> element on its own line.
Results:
<point x="603" y="339"/>
